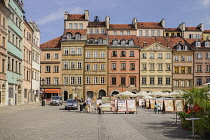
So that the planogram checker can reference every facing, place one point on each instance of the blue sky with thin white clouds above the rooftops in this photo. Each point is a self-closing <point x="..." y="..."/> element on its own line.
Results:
<point x="49" y="14"/>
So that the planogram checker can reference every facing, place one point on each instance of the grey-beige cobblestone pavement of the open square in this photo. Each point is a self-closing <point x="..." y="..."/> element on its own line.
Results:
<point x="35" y="122"/>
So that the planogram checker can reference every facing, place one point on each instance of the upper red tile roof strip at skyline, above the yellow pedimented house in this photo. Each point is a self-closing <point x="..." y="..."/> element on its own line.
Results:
<point x="153" y="25"/>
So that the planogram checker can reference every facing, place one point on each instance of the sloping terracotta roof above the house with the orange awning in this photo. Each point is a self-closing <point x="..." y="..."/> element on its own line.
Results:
<point x="54" y="43"/>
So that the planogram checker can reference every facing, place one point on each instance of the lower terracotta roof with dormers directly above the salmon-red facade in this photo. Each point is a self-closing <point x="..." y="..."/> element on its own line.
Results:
<point x="120" y="37"/>
